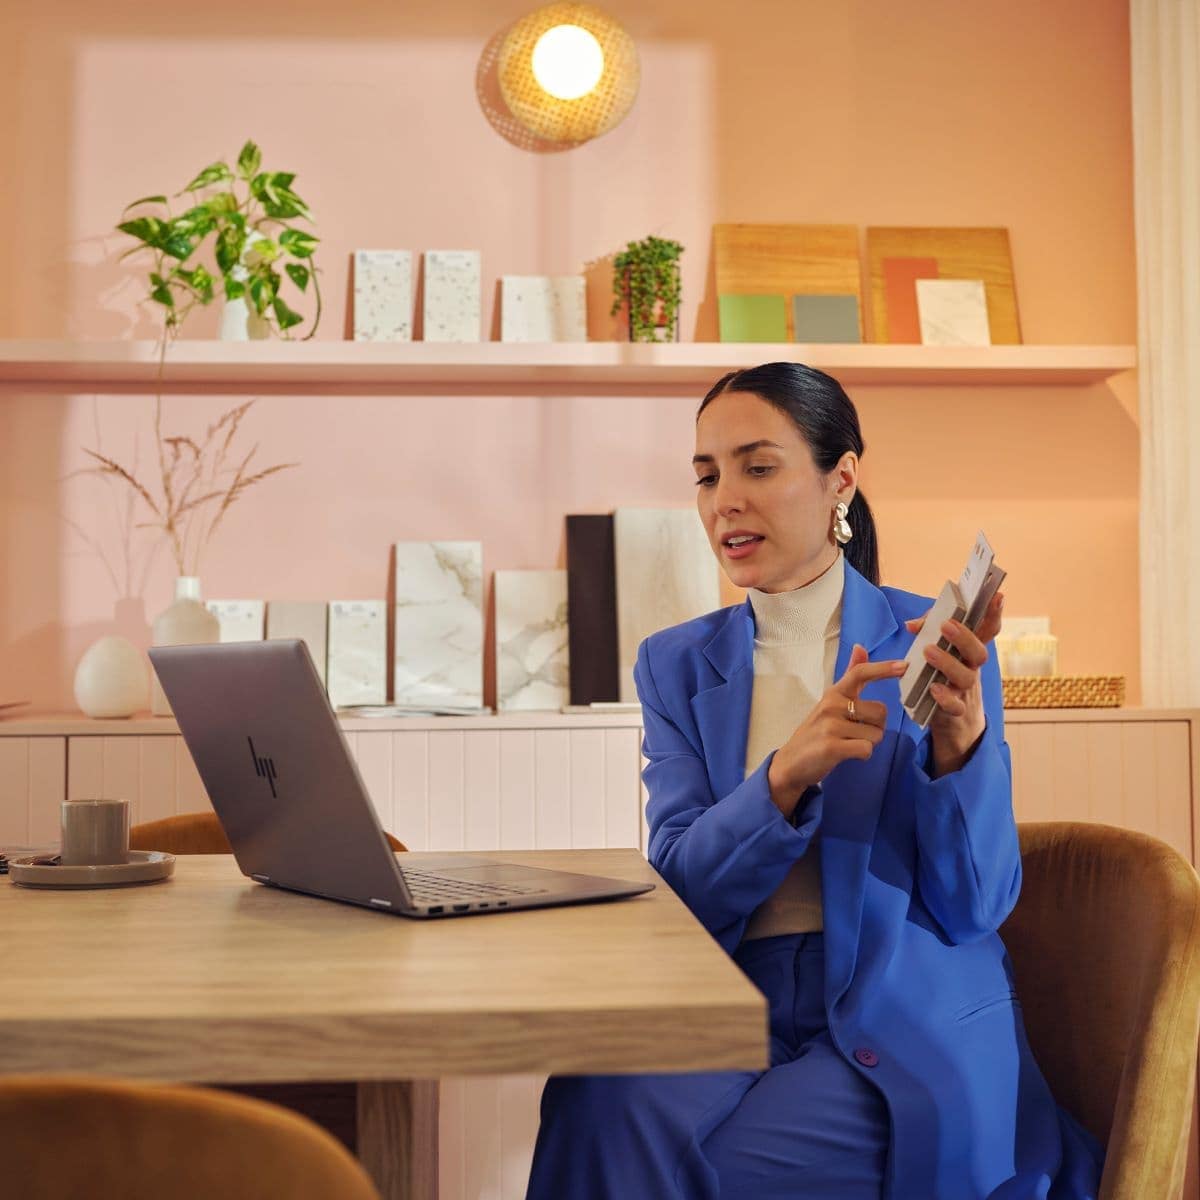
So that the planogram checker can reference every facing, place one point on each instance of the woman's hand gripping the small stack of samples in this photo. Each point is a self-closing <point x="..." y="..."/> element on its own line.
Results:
<point x="961" y="721"/>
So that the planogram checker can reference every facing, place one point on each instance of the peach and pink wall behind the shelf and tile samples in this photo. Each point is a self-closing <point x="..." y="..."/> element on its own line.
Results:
<point x="862" y="112"/>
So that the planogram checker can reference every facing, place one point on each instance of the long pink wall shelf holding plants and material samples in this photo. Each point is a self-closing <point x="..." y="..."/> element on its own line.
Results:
<point x="341" y="368"/>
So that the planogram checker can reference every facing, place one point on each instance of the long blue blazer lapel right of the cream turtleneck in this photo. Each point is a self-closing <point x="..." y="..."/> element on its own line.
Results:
<point x="855" y="790"/>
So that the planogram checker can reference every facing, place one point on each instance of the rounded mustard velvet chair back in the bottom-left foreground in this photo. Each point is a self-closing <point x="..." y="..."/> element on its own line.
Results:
<point x="112" y="1141"/>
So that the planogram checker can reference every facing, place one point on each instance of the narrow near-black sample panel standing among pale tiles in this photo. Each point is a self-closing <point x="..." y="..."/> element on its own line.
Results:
<point x="592" y="609"/>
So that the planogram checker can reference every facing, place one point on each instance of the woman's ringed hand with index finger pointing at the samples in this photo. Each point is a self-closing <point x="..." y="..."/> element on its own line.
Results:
<point x="829" y="735"/>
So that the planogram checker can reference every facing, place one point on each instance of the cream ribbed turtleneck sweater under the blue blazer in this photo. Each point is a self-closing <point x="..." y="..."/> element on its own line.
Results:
<point x="795" y="653"/>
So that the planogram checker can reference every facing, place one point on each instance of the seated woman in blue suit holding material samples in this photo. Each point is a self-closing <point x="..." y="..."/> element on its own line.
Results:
<point x="856" y="867"/>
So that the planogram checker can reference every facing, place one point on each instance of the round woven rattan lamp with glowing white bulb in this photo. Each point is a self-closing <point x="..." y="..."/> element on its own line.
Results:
<point x="568" y="73"/>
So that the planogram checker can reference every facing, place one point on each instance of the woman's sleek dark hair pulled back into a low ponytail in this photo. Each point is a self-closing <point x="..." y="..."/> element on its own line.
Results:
<point x="829" y="423"/>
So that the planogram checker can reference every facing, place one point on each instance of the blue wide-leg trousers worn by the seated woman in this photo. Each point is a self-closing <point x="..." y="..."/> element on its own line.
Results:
<point x="808" y="1129"/>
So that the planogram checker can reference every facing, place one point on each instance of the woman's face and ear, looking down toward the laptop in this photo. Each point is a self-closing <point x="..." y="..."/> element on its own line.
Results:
<point x="757" y="479"/>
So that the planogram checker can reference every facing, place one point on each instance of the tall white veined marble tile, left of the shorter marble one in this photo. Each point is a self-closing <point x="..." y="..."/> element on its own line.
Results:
<point x="439" y="623"/>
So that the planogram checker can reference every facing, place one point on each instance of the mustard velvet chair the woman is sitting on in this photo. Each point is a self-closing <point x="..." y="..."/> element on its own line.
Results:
<point x="1106" y="945"/>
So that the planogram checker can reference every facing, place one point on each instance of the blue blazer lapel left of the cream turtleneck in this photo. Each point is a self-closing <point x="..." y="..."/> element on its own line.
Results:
<point x="723" y="713"/>
